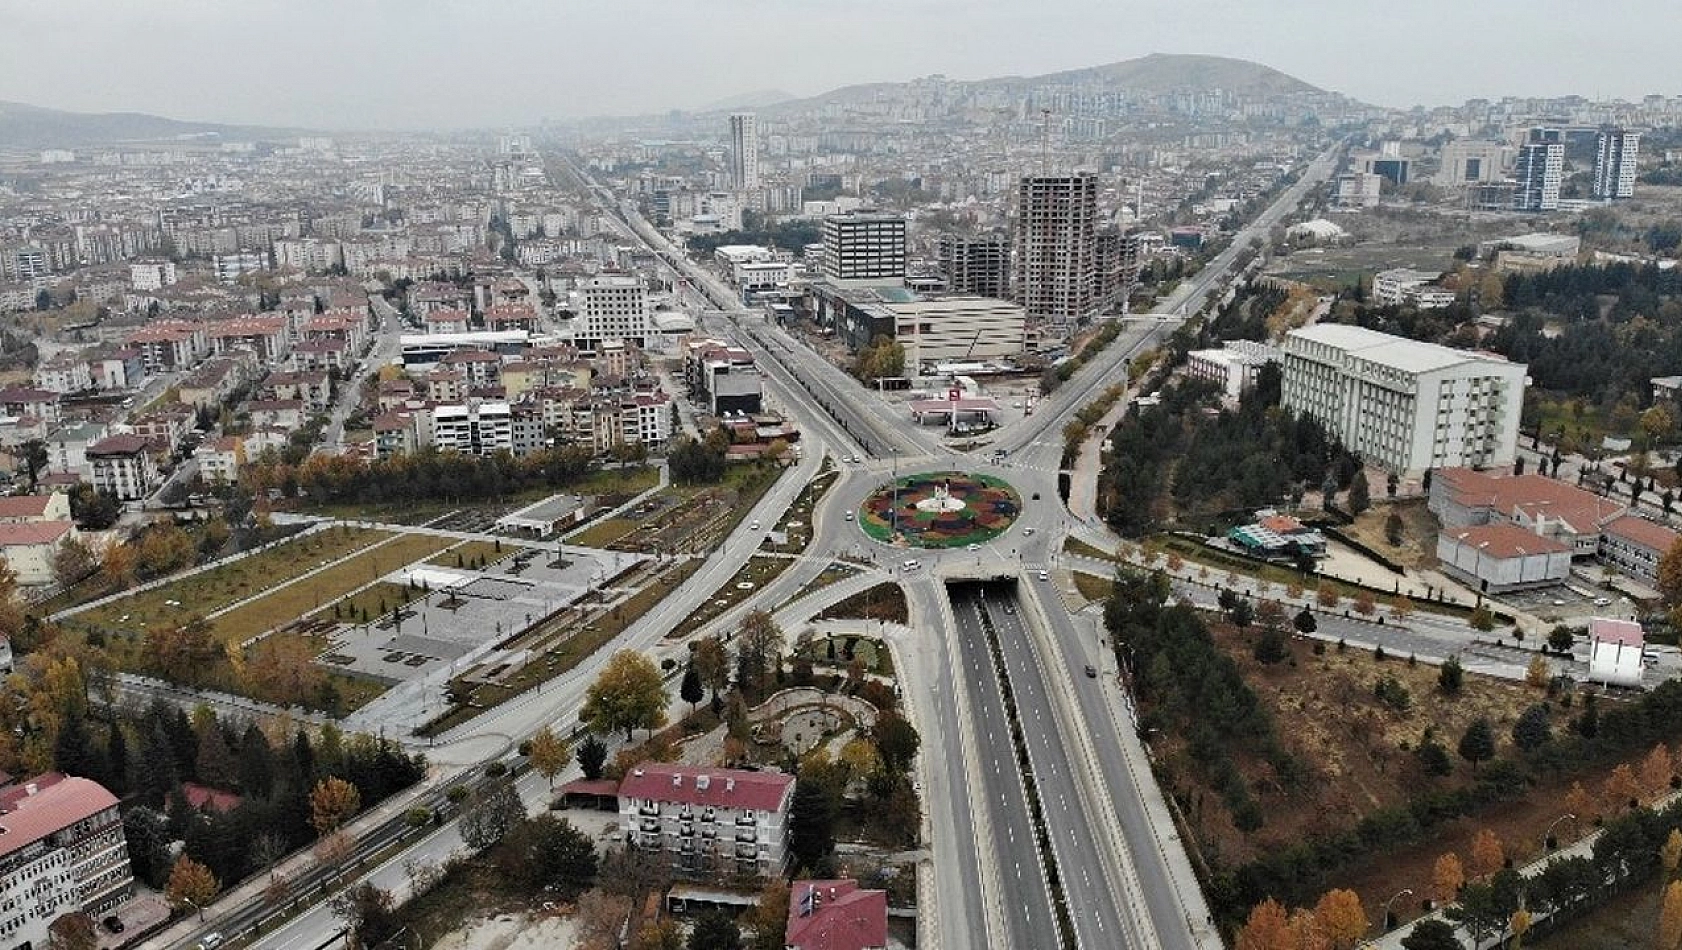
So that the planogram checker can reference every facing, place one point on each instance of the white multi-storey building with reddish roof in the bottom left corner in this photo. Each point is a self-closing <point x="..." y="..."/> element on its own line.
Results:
<point x="61" y="852"/>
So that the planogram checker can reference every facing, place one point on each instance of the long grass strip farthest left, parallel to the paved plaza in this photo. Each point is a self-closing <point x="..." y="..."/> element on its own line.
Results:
<point x="223" y="586"/>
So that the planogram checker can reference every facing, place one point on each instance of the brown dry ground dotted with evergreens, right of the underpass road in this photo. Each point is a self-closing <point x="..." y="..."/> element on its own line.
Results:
<point x="1358" y="754"/>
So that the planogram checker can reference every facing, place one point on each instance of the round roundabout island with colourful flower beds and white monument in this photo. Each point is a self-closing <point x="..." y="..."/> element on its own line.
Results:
<point x="941" y="510"/>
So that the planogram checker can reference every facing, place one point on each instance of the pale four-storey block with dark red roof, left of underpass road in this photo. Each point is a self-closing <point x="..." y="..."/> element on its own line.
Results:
<point x="709" y="821"/>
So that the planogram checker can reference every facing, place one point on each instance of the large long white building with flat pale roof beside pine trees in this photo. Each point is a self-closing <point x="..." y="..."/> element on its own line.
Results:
<point x="1402" y="404"/>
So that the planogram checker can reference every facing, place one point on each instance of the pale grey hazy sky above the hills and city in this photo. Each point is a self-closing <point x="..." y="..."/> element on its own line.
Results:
<point x="490" y="63"/>
